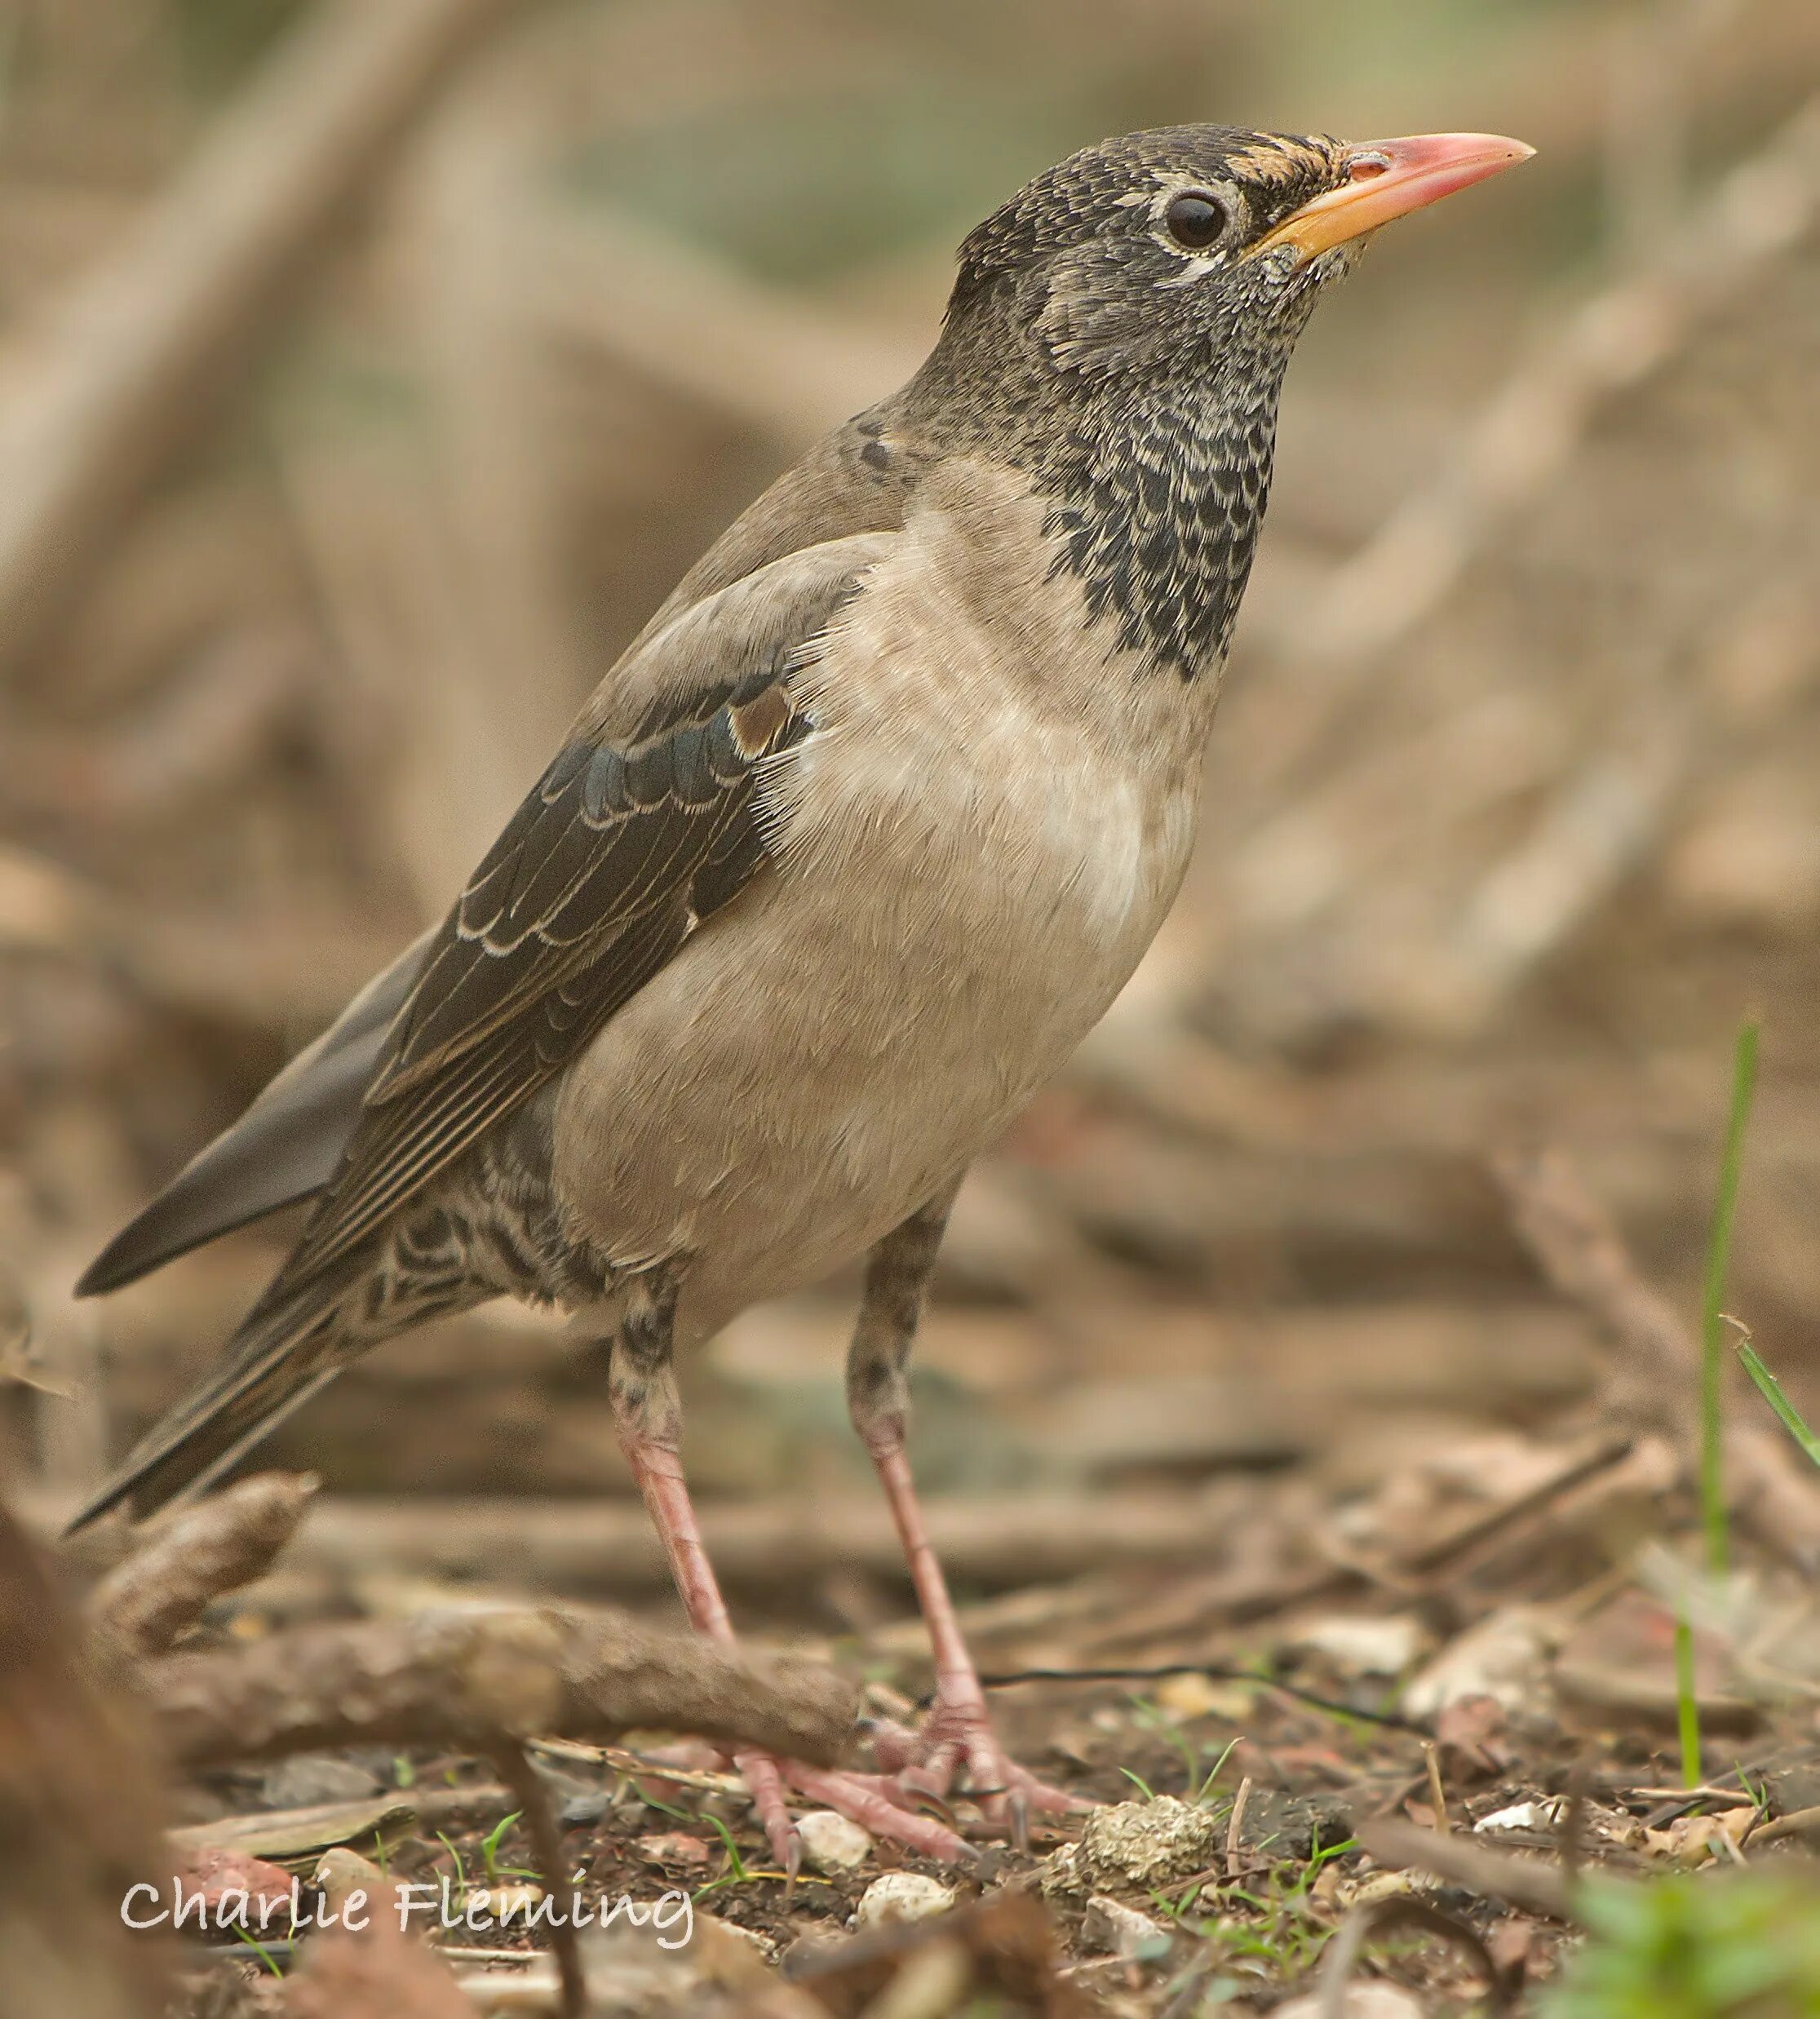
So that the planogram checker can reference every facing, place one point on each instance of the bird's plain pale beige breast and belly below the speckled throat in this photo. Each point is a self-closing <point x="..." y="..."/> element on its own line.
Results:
<point x="975" y="849"/>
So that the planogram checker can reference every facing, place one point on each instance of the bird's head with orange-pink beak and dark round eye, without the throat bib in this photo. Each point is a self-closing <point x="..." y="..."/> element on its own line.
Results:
<point x="1160" y="253"/>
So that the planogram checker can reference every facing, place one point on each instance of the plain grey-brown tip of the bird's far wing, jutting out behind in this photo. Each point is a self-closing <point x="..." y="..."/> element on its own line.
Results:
<point x="286" y="1148"/>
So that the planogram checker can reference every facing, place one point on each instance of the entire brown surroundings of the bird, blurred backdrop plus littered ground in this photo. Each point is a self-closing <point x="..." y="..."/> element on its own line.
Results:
<point x="1310" y="1400"/>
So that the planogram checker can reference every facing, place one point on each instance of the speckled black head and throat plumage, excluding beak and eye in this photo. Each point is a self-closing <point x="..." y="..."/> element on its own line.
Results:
<point x="1134" y="379"/>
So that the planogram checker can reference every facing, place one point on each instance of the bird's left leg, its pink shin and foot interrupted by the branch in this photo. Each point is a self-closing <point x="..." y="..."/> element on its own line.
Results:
<point x="649" y="1418"/>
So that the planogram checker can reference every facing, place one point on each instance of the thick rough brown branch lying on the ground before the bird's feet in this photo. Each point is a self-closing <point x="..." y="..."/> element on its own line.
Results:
<point x="488" y="1681"/>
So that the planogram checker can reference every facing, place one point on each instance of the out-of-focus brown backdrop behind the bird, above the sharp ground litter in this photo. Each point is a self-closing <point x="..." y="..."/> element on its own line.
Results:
<point x="371" y="373"/>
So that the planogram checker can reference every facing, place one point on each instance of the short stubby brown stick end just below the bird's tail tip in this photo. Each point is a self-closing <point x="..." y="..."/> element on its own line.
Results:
<point x="189" y="1562"/>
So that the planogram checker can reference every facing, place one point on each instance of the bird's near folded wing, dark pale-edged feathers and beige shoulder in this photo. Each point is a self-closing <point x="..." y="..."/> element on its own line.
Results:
<point x="601" y="877"/>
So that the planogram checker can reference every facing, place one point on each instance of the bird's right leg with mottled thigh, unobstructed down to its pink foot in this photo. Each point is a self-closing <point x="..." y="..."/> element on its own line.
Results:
<point x="958" y="1729"/>
